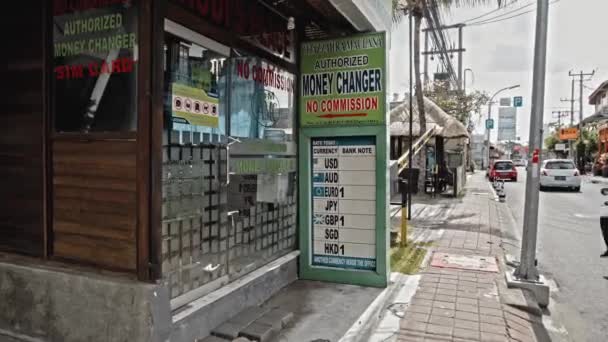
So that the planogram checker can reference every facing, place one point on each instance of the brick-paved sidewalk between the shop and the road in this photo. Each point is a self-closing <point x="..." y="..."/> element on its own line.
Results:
<point x="462" y="294"/>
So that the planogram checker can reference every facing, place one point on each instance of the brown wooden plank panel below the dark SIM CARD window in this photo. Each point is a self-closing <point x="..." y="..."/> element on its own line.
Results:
<point x="94" y="199"/>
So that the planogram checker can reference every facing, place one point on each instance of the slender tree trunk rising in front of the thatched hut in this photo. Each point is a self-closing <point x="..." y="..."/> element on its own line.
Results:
<point x="419" y="100"/>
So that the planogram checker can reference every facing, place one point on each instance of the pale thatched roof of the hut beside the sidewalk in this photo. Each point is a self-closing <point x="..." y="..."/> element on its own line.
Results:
<point x="449" y="126"/>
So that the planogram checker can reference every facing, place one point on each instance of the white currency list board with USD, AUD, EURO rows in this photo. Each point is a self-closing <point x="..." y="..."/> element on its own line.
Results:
<point x="344" y="202"/>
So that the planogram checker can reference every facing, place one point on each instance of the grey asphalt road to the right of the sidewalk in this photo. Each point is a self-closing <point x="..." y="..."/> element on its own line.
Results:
<point x="569" y="245"/>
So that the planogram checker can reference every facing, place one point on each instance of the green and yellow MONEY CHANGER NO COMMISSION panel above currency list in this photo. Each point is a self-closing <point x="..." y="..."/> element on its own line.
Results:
<point x="343" y="81"/>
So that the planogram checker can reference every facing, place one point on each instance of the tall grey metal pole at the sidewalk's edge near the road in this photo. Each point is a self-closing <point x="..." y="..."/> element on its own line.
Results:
<point x="527" y="268"/>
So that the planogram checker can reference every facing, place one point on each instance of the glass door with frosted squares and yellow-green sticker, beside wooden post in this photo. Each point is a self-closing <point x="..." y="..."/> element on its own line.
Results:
<point x="195" y="221"/>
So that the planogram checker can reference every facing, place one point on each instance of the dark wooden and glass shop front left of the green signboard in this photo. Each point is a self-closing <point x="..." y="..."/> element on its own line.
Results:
<point x="161" y="154"/>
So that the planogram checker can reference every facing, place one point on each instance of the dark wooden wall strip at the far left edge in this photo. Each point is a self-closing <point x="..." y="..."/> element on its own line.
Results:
<point x="22" y="128"/>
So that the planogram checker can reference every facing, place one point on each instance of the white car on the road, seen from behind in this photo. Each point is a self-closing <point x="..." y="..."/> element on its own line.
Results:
<point x="559" y="173"/>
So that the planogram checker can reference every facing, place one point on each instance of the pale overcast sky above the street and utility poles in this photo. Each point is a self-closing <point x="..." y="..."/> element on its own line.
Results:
<point x="501" y="54"/>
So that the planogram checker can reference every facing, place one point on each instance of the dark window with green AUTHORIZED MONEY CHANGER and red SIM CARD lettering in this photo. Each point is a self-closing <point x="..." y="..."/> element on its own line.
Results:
<point x="95" y="66"/>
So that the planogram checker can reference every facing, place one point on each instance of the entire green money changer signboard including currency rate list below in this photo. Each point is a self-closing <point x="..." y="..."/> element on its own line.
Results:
<point x="343" y="148"/>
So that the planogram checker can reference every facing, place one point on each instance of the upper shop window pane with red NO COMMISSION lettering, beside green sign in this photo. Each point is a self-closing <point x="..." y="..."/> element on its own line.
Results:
<point x="262" y="100"/>
